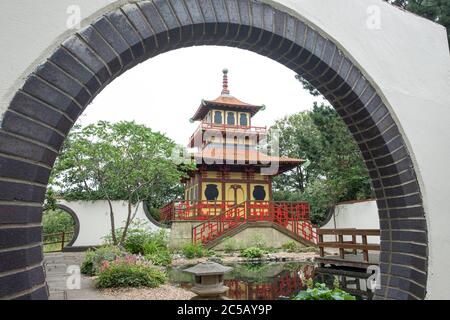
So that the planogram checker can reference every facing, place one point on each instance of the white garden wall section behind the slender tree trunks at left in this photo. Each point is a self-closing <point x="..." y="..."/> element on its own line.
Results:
<point x="95" y="221"/>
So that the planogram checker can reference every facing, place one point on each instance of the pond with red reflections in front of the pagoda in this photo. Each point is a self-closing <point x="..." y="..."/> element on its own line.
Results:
<point x="271" y="281"/>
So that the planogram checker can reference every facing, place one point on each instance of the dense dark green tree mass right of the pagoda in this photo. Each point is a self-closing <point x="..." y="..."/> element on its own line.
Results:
<point x="334" y="170"/>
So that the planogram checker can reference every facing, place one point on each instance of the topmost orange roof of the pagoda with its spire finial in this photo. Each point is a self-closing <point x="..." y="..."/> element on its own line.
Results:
<point x="225" y="101"/>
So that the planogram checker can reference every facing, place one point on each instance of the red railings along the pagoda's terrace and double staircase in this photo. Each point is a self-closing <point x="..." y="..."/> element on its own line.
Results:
<point x="220" y="219"/>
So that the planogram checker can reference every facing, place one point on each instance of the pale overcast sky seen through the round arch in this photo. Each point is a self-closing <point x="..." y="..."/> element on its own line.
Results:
<point x="164" y="92"/>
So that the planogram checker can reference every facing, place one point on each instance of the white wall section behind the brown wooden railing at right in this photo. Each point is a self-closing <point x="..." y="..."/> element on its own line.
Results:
<point x="359" y="215"/>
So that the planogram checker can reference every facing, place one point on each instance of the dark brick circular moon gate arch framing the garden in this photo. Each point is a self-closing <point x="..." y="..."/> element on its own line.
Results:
<point x="52" y="98"/>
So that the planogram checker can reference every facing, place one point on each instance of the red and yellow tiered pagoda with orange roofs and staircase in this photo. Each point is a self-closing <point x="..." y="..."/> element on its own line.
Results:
<point x="230" y="188"/>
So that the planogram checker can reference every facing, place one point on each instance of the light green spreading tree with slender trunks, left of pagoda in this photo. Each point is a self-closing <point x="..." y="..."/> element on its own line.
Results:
<point x="117" y="161"/>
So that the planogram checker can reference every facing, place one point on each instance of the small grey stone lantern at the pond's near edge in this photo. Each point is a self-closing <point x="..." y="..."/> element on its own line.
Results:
<point x="208" y="280"/>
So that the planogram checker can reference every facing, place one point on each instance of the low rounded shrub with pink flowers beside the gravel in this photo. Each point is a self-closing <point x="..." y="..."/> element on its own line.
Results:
<point x="129" y="272"/>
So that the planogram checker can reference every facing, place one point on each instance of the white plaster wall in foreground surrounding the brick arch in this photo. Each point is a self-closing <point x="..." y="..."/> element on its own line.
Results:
<point x="407" y="58"/>
